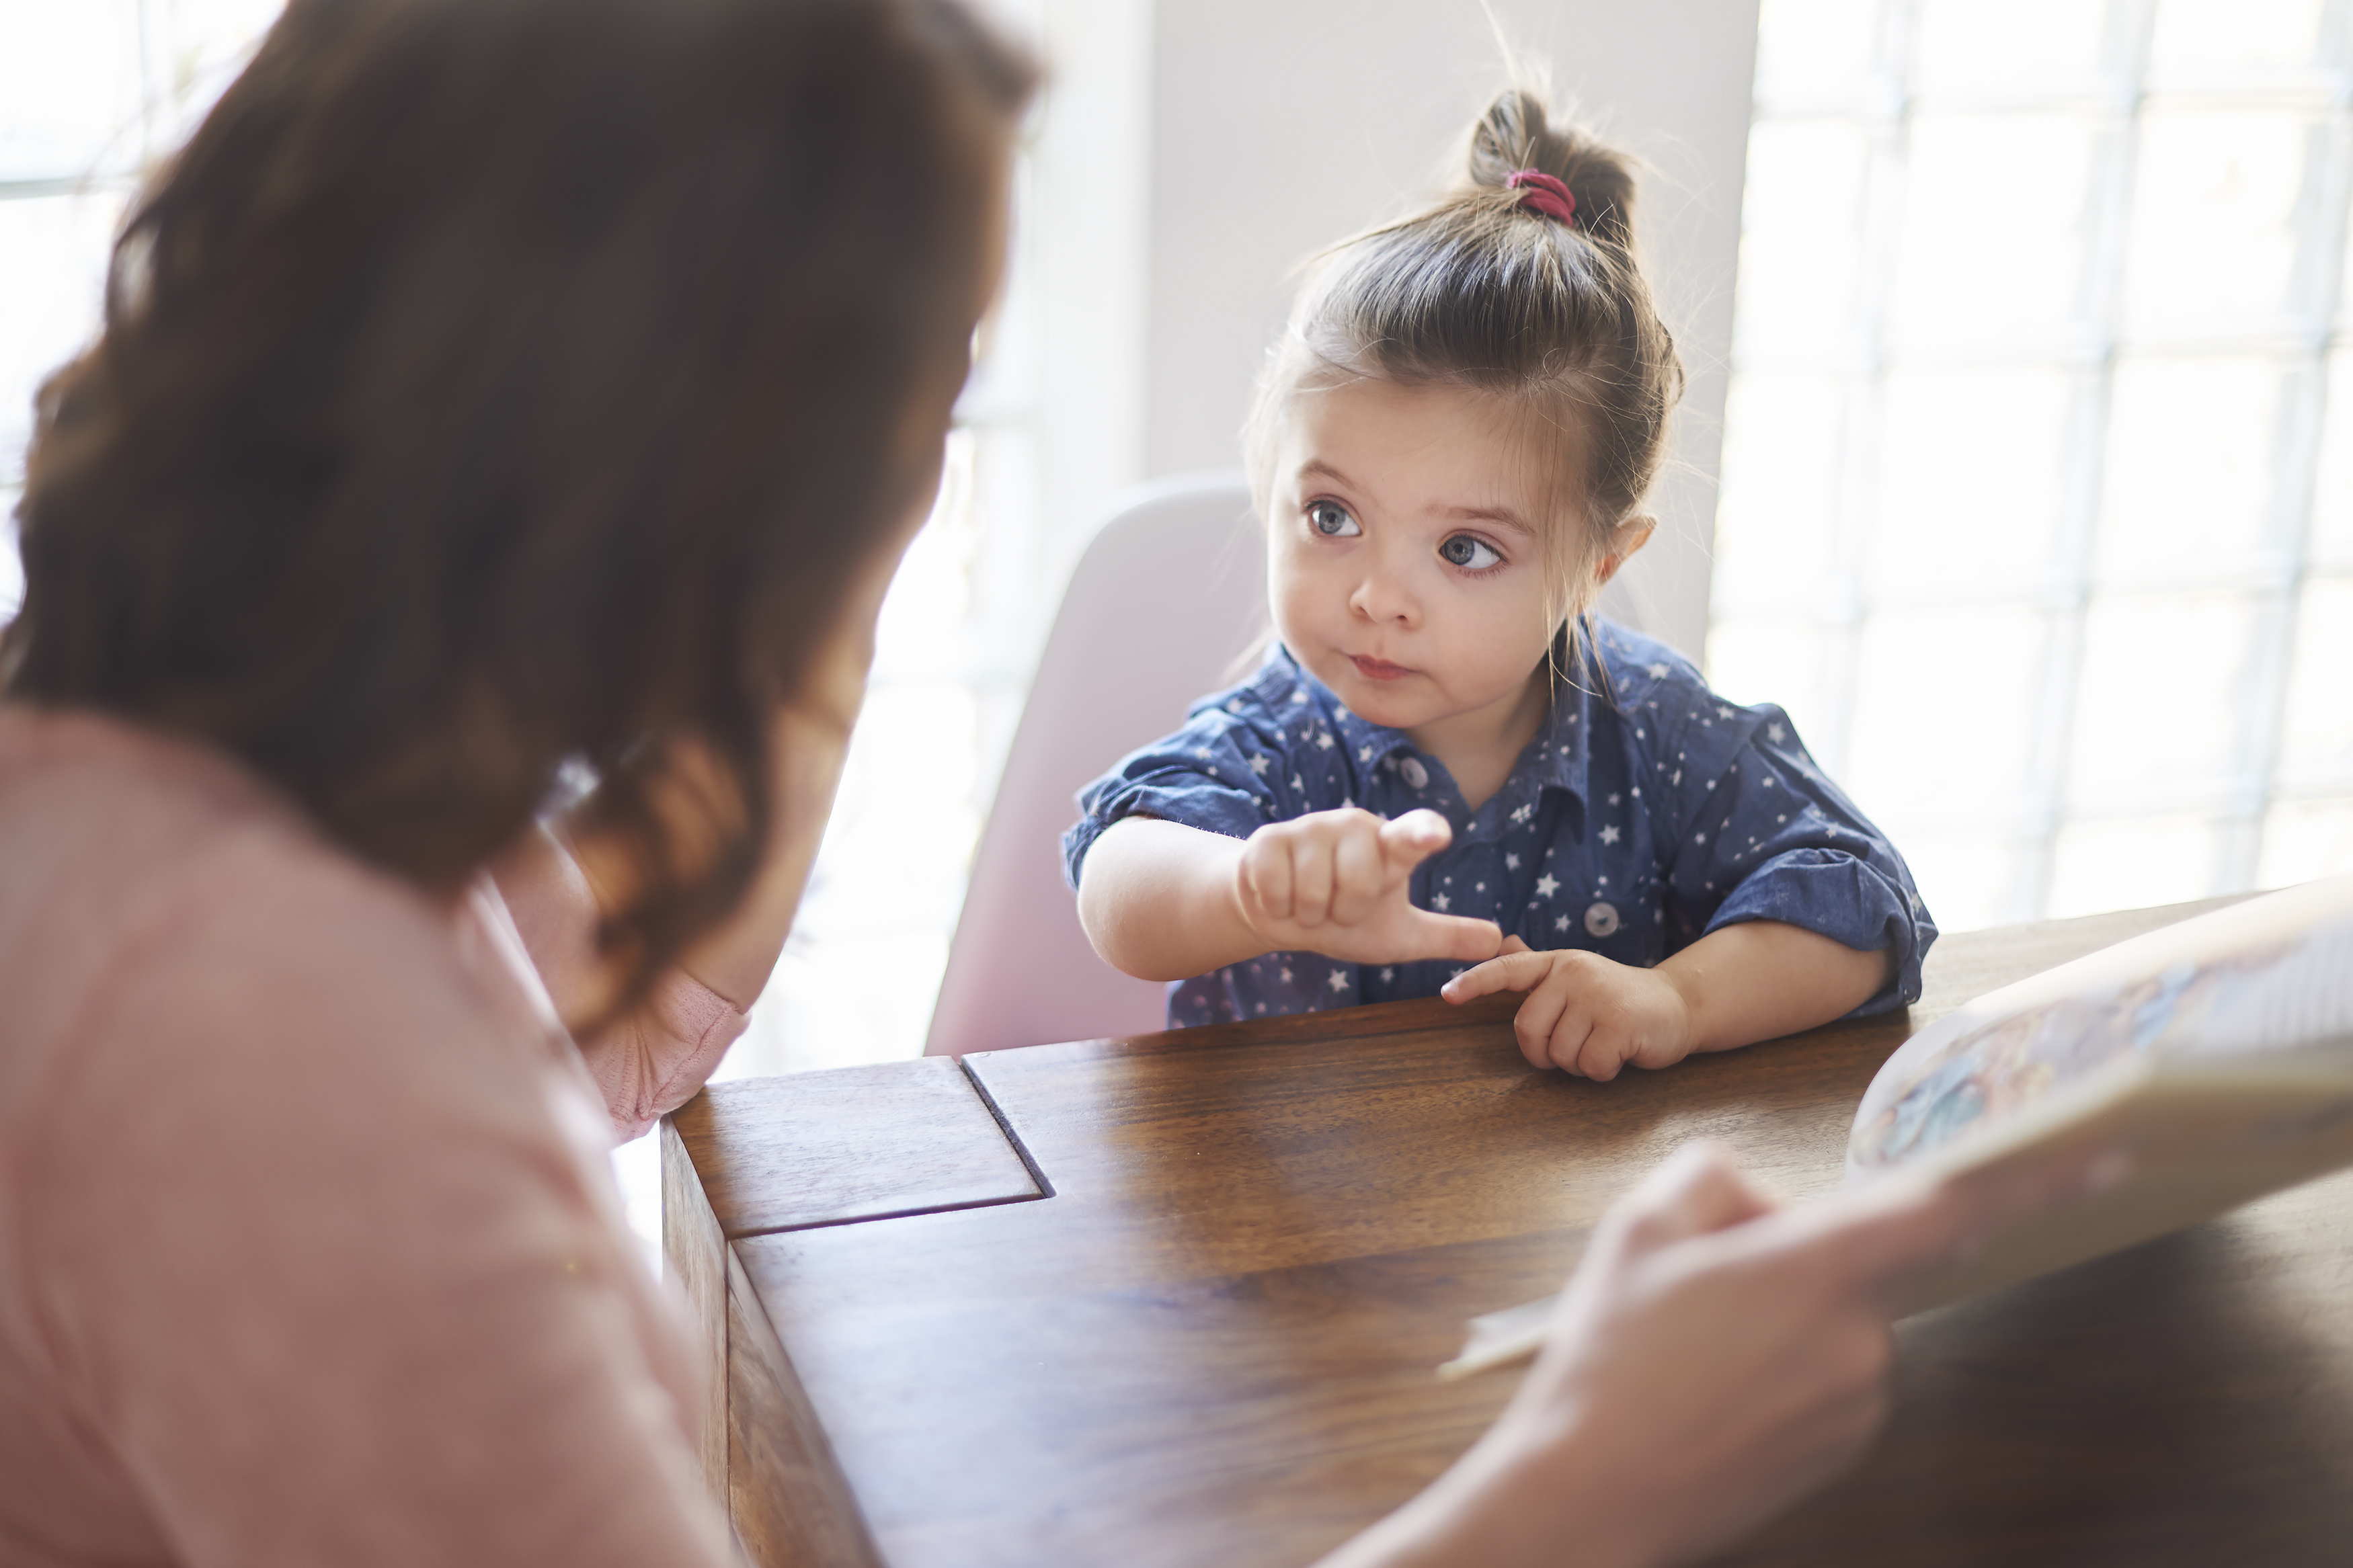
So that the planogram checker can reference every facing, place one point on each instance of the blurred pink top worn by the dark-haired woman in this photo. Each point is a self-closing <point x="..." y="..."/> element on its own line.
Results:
<point x="309" y="1247"/>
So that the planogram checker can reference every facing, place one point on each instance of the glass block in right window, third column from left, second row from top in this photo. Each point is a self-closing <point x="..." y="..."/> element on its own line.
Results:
<point x="2213" y="220"/>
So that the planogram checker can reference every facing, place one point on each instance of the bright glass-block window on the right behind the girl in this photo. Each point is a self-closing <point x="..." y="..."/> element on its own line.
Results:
<point x="2039" y="471"/>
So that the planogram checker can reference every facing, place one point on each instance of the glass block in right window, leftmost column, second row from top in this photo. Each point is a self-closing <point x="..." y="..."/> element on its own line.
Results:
<point x="1799" y="253"/>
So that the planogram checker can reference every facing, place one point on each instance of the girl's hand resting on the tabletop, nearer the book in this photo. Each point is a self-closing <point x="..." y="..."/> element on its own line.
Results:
<point x="1585" y="1014"/>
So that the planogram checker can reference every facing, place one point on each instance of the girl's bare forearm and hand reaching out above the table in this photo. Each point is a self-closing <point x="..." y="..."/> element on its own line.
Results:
<point x="1166" y="902"/>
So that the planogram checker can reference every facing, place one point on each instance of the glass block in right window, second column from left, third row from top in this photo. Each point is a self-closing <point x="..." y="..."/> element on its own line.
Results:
<point x="1971" y="481"/>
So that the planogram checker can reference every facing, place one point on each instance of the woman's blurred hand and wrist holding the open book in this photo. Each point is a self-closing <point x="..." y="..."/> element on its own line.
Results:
<point x="1714" y="1360"/>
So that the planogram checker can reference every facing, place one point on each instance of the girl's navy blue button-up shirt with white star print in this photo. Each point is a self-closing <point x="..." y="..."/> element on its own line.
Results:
<point x="1646" y="815"/>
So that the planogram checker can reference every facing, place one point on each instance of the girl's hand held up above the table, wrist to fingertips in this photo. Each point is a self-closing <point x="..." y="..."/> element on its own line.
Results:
<point x="1338" y="883"/>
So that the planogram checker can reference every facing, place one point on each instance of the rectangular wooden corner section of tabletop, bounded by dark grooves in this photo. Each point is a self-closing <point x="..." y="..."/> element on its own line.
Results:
<point x="853" y="1144"/>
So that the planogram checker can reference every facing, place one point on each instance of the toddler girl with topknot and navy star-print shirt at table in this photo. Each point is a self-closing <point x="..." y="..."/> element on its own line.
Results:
<point x="1451" y="779"/>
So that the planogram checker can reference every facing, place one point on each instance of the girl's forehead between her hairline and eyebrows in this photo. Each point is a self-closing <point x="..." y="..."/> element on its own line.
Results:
<point x="1486" y="450"/>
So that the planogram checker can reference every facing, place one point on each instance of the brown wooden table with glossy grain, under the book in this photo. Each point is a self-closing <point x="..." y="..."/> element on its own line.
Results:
<point x="1178" y="1301"/>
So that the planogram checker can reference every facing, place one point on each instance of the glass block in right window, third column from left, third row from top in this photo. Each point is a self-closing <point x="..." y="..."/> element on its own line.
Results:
<point x="2192" y="469"/>
